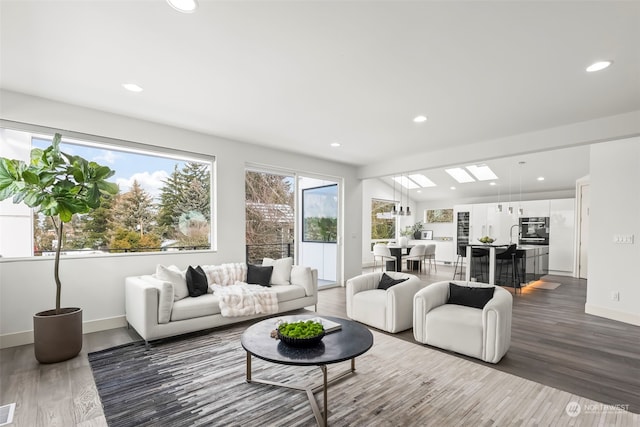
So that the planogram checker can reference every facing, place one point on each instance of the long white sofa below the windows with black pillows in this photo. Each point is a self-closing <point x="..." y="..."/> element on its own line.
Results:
<point x="154" y="311"/>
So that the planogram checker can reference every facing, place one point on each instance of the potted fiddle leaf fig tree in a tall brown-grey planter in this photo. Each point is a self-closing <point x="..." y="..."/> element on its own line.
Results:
<point x="58" y="185"/>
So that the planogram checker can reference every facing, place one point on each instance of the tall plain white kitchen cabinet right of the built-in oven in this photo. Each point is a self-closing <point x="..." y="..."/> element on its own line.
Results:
<point x="561" y="235"/>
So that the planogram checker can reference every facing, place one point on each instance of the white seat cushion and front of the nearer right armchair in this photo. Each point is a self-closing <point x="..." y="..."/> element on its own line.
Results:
<point x="455" y="327"/>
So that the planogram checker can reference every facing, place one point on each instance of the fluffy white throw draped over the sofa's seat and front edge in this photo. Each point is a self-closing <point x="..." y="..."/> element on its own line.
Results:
<point x="243" y="299"/>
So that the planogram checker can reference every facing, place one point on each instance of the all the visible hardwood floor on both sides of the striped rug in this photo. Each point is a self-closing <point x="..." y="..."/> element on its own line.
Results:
<point x="553" y="342"/>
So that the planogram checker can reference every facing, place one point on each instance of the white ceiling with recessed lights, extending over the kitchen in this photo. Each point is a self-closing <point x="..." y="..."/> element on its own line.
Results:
<point x="298" y="75"/>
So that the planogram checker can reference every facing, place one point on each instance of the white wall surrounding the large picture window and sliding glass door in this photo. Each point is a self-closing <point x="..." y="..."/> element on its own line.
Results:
<point x="96" y="284"/>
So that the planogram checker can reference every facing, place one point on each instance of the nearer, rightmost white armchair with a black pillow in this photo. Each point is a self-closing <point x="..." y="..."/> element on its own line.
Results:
<point x="481" y="333"/>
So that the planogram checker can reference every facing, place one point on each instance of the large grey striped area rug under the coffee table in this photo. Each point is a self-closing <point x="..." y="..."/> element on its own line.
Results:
<point x="199" y="380"/>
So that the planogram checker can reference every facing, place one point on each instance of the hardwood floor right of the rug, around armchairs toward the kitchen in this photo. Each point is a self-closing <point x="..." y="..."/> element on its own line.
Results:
<point x="554" y="342"/>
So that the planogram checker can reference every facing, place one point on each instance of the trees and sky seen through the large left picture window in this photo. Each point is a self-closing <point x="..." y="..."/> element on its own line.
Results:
<point x="173" y="213"/>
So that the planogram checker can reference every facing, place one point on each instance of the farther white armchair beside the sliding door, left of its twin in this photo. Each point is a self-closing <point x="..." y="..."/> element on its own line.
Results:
<point x="389" y="310"/>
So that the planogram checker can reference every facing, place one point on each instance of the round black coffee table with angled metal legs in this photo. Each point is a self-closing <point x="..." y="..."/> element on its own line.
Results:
<point x="347" y="343"/>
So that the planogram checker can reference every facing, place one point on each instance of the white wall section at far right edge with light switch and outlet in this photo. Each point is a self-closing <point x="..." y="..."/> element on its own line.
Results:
<point x="615" y="210"/>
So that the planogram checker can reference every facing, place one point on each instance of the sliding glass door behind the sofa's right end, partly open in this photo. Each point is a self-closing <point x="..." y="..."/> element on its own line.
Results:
<point x="292" y="215"/>
